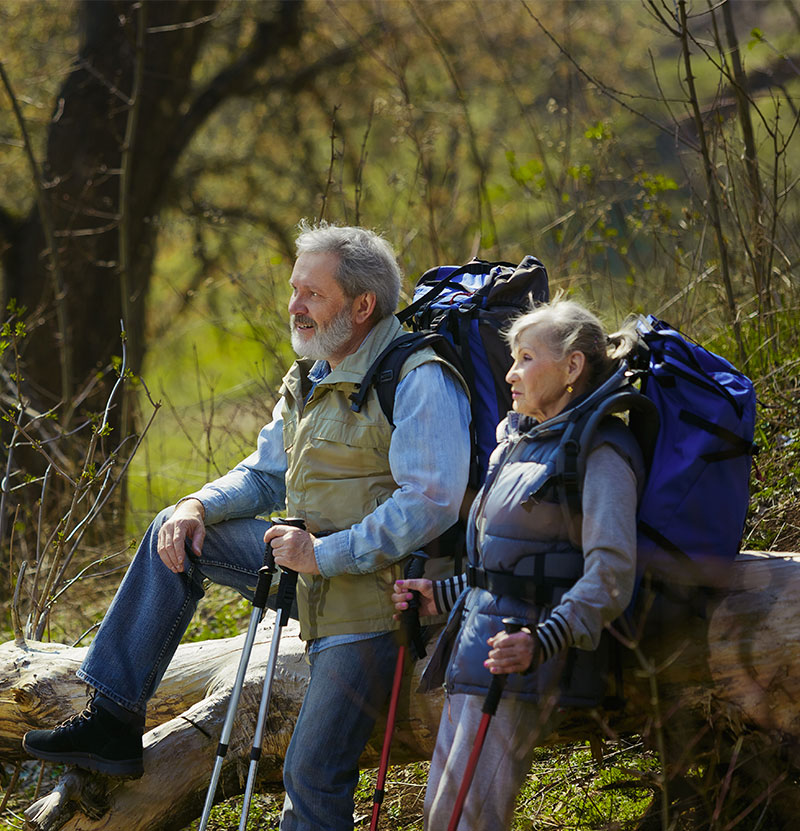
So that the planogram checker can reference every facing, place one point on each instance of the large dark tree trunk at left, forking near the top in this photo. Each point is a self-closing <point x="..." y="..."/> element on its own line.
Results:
<point x="80" y="261"/>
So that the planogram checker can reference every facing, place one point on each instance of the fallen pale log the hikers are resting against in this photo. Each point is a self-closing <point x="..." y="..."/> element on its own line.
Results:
<point x="721" y="669"/>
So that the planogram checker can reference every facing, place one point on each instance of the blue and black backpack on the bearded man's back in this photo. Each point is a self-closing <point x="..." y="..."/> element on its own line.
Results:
<point x="461" y="312"/>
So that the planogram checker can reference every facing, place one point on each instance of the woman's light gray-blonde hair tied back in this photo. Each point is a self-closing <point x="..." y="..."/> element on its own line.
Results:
<point x="566" y="326"/>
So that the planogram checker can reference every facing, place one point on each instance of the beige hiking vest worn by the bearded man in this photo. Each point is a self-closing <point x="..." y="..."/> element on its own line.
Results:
<point x="338" y="472"/>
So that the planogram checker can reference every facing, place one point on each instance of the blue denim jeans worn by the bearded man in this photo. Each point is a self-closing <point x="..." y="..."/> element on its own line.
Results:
<point x="349" y="685"/>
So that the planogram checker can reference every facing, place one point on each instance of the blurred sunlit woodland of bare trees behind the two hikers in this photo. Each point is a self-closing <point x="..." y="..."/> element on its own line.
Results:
<point x="155" y="158"/>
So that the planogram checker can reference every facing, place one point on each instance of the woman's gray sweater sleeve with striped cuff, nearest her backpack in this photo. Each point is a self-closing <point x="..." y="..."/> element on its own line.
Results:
<point x="610" y="494"/>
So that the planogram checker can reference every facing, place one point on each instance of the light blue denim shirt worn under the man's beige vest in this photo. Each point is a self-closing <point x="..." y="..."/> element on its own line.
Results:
<point x="428" y="457"/>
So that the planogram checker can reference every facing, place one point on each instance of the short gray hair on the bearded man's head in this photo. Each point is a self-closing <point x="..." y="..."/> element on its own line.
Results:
<point x="366" y="261"/>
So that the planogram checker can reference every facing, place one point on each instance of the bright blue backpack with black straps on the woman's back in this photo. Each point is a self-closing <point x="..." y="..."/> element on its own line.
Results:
<point x="694" y="417"/>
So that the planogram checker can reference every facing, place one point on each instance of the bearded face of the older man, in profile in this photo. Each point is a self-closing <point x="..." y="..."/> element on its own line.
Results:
<point x="321" y="314"/>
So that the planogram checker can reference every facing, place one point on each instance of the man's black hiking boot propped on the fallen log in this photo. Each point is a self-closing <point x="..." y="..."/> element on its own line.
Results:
<point x="95" y="740"/>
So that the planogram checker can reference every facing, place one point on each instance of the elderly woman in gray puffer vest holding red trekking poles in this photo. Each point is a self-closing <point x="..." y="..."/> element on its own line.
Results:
<point x="567" y="577"/>
